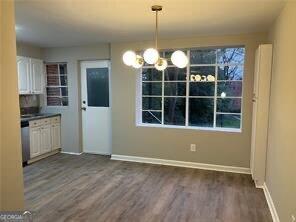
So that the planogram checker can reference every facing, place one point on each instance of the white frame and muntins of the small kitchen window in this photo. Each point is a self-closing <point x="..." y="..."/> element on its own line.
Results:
<point x="57" y="86"/>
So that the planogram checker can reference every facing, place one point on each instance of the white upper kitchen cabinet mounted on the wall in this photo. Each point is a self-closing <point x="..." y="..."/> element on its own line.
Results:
<point x="30" y="75"/>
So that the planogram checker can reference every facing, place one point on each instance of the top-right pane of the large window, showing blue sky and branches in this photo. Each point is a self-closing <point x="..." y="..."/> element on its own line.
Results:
<point x="231" y="55"/>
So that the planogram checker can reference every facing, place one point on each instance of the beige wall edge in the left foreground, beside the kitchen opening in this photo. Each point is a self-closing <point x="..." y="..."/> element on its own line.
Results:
<point x="11" y="181"/>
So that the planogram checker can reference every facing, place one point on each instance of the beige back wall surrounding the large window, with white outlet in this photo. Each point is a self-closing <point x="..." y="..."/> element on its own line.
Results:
<point x="221" y="148"/>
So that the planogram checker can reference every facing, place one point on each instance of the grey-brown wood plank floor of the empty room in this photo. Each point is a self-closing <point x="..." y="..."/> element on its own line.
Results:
<point x="94" y="188"/>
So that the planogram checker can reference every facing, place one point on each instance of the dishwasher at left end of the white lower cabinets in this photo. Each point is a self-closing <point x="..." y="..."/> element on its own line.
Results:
<point x="25" y="136"/>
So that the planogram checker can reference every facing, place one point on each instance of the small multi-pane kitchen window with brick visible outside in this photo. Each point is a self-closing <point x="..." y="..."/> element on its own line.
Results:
<point x="56" y="84"/>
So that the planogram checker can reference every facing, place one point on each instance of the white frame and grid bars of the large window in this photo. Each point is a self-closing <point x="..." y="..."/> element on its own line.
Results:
<point x="139" y="95"/>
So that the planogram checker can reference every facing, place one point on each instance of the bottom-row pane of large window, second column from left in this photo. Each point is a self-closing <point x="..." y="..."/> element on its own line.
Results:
<point x="174" y="111"/>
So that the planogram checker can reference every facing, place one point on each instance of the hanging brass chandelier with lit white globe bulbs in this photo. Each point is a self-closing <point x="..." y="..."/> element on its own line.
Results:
<point x="151" y="55"/>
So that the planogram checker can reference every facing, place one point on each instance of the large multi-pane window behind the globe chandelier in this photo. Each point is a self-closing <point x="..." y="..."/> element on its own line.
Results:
<point x="205" y="94"/>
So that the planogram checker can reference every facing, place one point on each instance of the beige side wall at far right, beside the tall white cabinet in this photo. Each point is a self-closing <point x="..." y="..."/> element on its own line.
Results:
<point x="281" y="156"/>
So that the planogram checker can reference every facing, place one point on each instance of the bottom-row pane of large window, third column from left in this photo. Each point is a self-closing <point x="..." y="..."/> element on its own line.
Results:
<point x="201" y="112"/>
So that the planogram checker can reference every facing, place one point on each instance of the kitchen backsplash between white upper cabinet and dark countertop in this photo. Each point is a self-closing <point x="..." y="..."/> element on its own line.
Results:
<point x="29" y="104"/>
